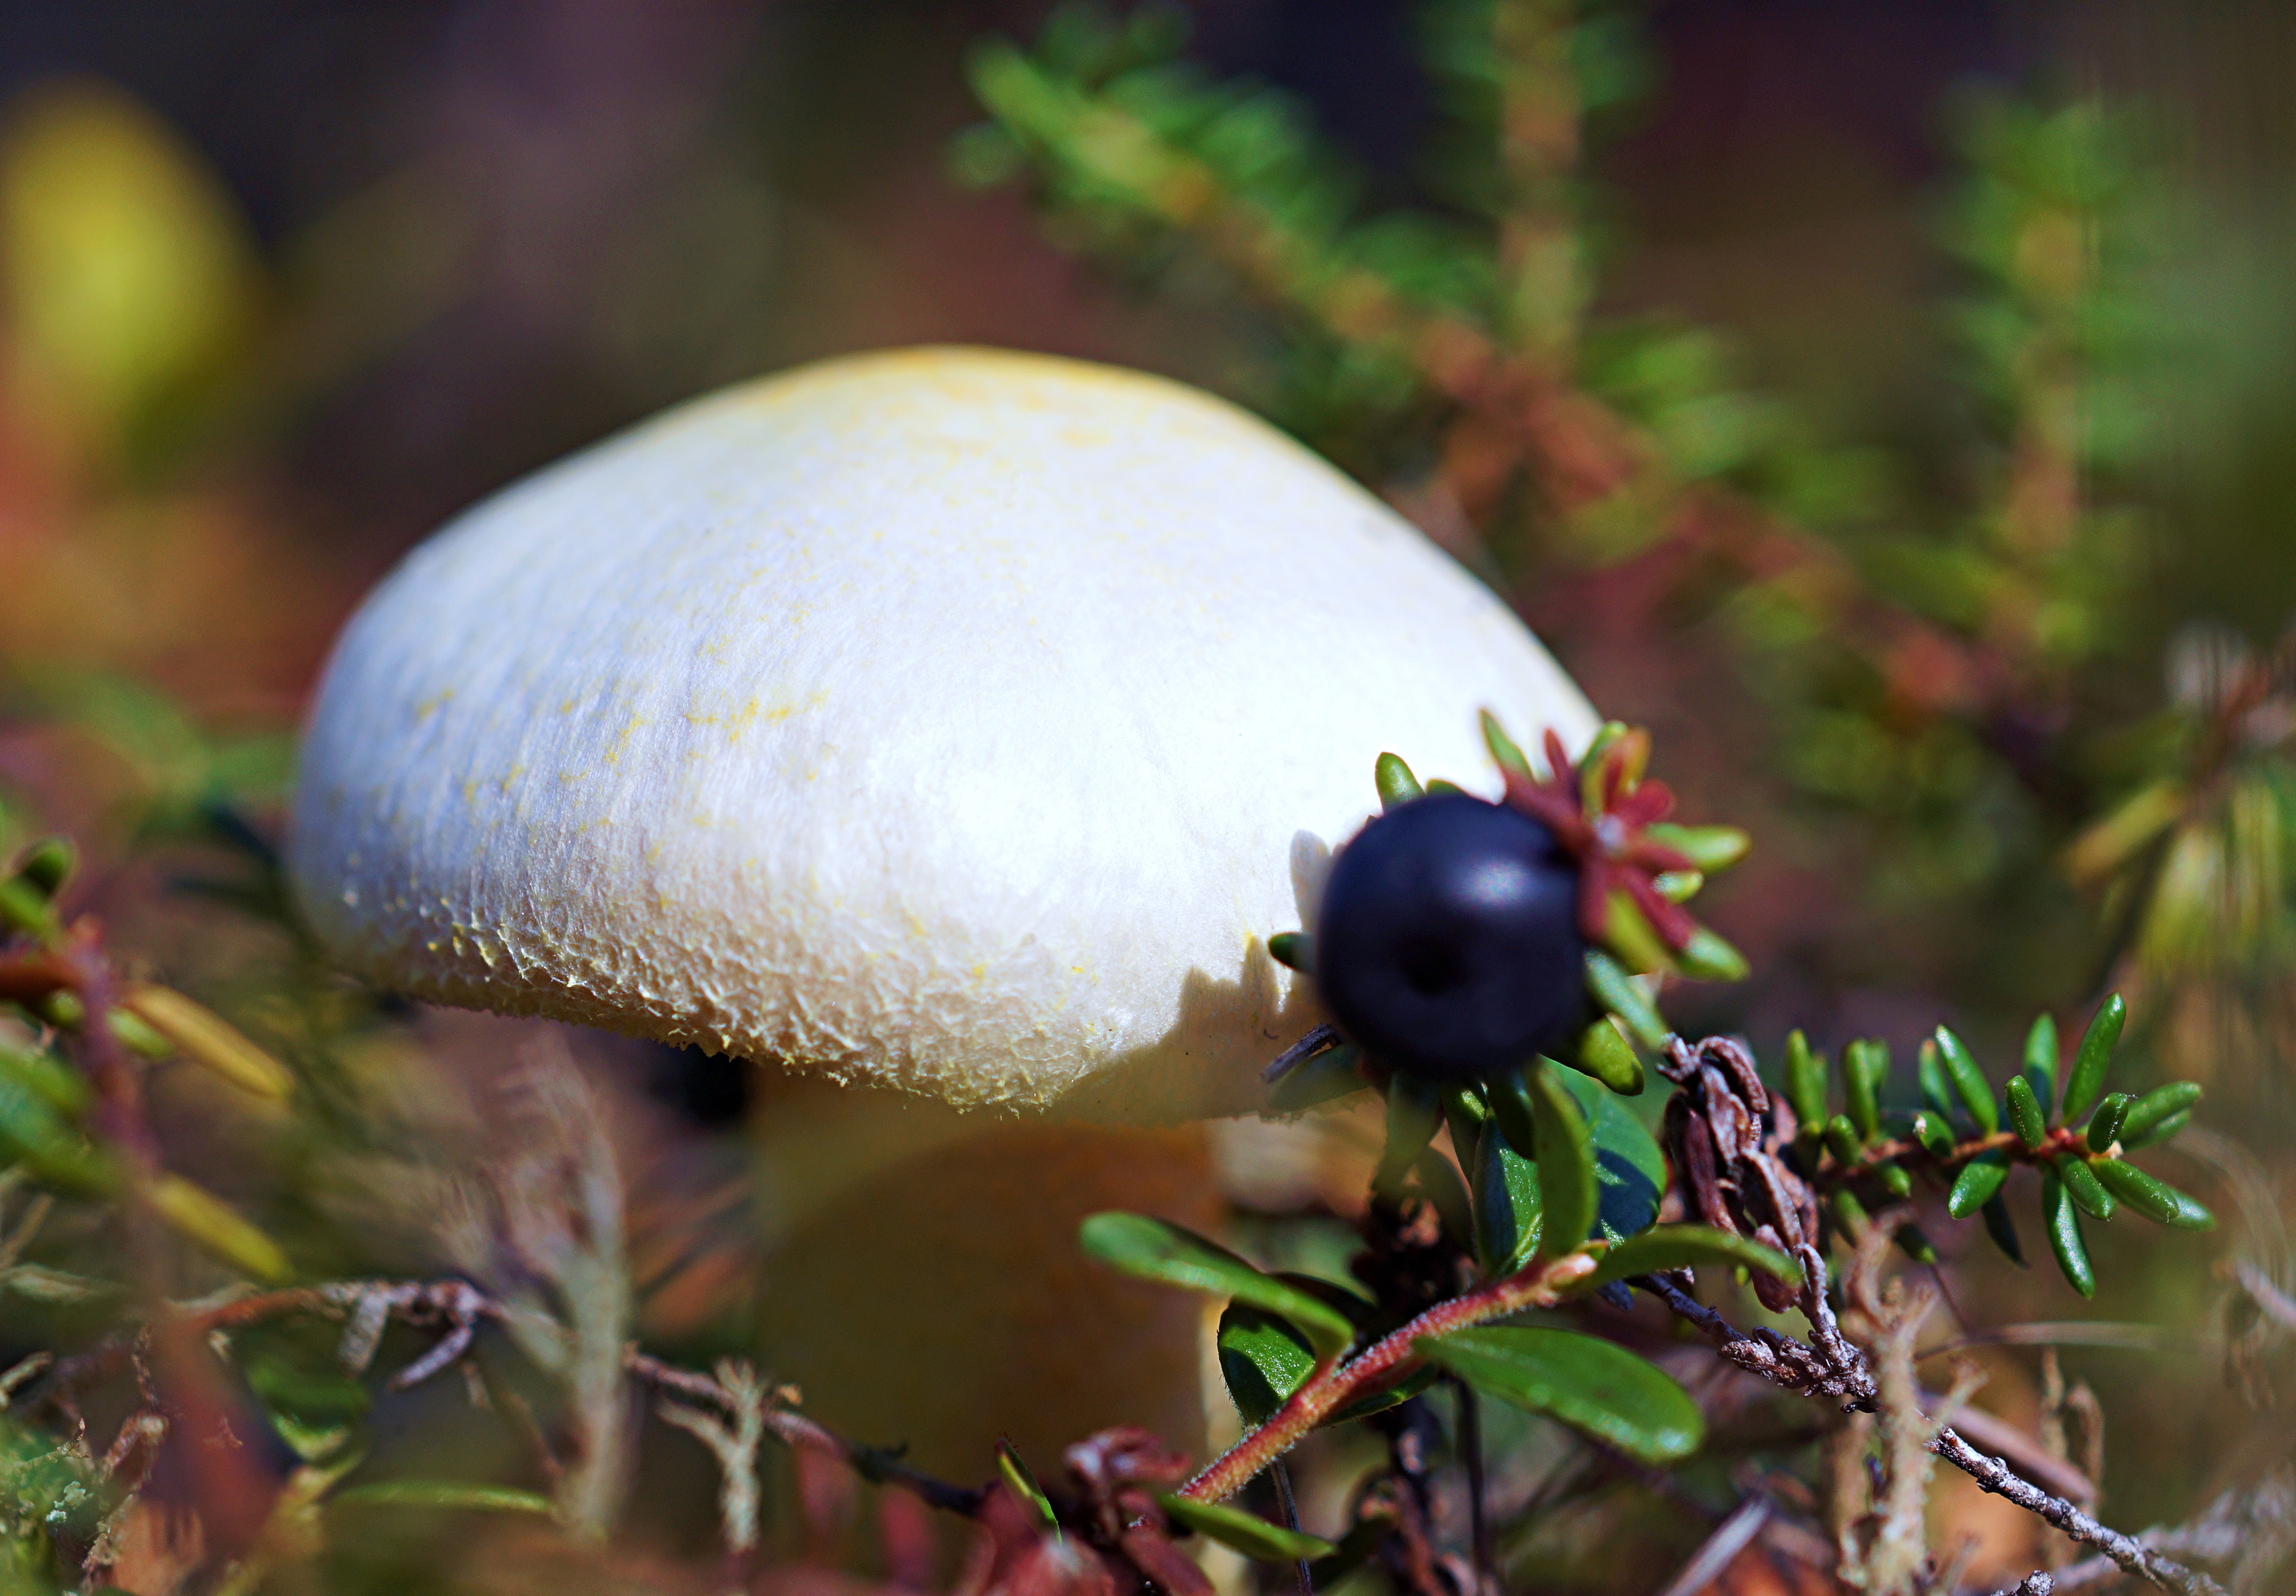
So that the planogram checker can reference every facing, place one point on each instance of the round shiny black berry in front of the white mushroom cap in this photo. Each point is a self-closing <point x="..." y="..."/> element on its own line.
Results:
<point x="1450" y="940"/>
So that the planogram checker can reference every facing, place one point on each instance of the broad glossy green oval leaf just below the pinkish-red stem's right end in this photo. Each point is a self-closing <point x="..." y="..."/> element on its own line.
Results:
<point x="1588" y="1384"/>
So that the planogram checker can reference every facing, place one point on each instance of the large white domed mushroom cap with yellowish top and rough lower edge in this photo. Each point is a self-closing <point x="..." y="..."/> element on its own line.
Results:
<point x="947" y="720"/>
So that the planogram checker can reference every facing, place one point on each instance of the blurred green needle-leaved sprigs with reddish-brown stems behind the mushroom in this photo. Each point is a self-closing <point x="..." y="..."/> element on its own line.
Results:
<point x="1925" y="635"/>
